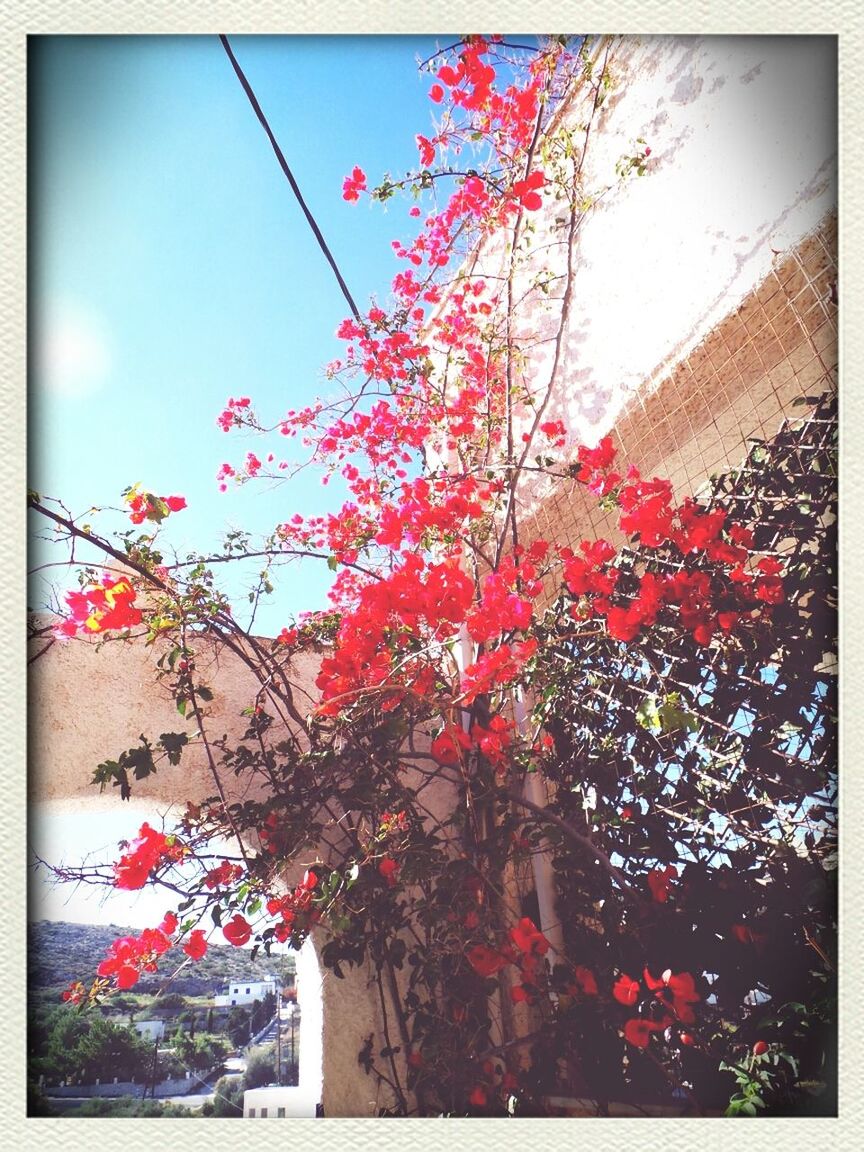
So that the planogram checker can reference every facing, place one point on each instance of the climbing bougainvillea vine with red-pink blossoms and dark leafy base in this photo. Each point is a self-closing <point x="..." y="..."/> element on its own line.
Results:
<point x="487" y="699"/>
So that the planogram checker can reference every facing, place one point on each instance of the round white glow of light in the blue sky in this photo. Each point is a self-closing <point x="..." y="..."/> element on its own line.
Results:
<point x="71" y="353"/>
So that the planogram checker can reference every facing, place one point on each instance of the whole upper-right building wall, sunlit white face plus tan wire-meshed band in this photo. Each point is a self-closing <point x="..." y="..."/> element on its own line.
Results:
<point x="732" y="218"/>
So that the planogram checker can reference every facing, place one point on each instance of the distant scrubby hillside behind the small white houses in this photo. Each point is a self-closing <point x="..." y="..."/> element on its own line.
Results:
<point x="60" y="952"/>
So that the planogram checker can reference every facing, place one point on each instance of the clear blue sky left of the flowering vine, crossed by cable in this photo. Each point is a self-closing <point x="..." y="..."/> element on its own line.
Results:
<point x="172" y="268"/>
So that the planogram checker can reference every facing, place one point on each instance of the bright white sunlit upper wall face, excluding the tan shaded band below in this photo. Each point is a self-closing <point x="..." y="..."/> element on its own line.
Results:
<point x="742" y="133"/>
